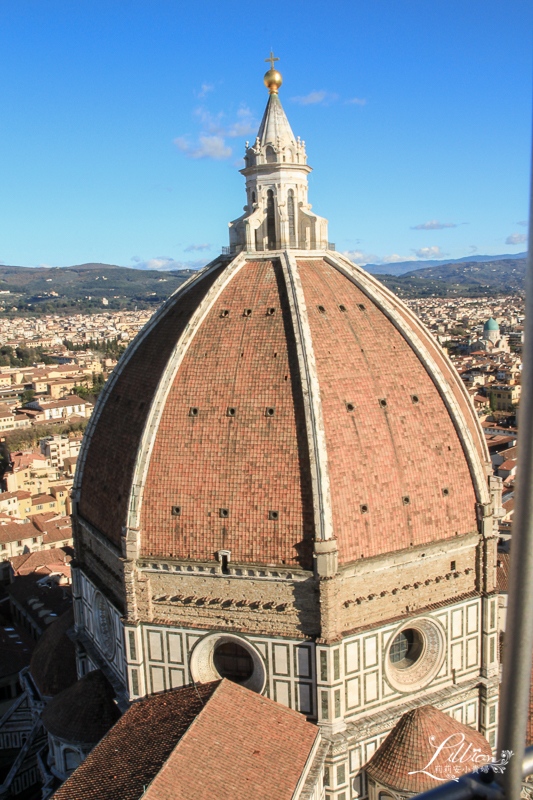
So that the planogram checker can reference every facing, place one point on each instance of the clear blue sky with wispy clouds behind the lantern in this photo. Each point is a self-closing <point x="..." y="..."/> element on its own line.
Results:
<point x="123" y="123"/>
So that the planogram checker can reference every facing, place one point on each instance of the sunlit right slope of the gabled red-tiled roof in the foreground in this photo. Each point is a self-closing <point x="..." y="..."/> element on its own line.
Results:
<point x="241" y="745"/>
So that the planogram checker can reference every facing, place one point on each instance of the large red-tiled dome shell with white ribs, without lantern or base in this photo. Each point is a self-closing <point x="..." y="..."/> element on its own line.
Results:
<point x="275" y="400"/>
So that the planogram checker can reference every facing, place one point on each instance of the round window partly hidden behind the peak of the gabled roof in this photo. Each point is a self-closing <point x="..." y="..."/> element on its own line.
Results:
<point x="226" y="656"/>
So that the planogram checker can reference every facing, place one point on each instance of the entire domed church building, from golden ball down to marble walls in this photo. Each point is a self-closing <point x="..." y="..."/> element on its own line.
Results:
<point x="284" y="483"/>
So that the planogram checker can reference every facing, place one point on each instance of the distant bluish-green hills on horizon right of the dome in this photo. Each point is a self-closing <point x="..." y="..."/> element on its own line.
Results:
<point x="470" y="279"/>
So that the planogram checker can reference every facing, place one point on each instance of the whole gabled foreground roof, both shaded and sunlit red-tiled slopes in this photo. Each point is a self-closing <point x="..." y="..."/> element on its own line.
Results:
<point x="216" y="740"/>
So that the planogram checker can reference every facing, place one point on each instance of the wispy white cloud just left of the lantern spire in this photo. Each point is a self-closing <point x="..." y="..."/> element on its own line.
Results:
<point x="215" y="129"/>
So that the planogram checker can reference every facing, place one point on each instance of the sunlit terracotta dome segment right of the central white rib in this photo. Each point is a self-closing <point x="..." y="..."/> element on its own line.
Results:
<point x="404" y="448"/>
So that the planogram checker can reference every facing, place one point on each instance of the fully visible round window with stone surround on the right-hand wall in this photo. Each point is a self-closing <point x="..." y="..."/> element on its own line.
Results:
<point x="415" y="654"/>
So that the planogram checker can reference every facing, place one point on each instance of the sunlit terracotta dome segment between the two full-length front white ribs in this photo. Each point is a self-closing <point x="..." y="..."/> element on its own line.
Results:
<point x="249" y="463"/>
